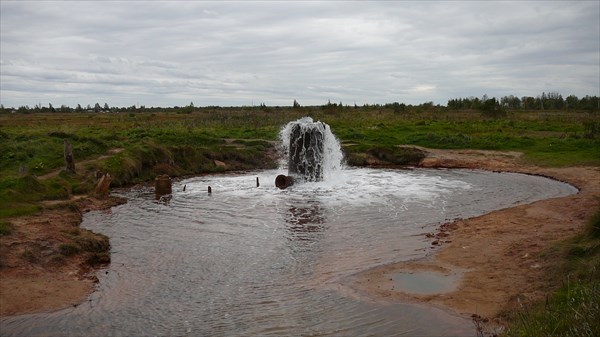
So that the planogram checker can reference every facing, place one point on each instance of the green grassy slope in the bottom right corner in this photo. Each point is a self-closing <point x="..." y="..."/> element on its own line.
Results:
<point x="573" y="309"/>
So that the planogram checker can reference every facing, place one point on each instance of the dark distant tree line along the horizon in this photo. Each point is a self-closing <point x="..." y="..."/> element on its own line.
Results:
<point x="492" y="106"/>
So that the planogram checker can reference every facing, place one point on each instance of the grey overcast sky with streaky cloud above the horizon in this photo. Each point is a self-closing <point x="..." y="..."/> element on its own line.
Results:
<point x="242" y="53"/>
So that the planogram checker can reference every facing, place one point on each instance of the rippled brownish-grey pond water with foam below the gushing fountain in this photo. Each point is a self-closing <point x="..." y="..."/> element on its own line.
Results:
<point x="259" y="261"/>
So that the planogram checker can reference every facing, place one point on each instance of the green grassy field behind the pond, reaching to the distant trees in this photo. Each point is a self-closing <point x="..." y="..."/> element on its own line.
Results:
<point x="136" y="147"/>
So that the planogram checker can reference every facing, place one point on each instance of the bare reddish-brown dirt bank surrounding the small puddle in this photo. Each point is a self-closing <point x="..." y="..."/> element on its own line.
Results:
<point x="499" y="254"/>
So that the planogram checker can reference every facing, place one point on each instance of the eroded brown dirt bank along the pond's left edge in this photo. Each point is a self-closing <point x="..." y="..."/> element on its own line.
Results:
<point x="41" y="269"/>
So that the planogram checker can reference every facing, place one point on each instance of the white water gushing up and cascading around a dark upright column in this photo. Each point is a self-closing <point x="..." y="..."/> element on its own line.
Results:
<point x="311" y="152"/>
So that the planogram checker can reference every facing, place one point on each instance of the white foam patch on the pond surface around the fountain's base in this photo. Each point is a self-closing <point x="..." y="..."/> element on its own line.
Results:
<point x="350" y="186"/>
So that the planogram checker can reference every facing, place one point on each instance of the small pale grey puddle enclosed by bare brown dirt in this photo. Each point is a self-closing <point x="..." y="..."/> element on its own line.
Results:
<point x="426" y="282"/>
